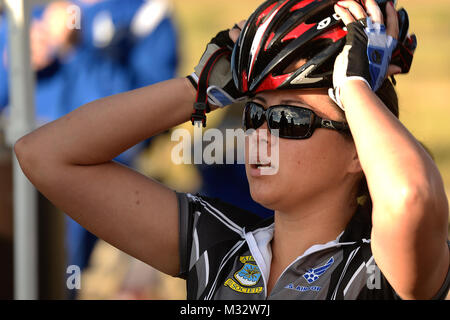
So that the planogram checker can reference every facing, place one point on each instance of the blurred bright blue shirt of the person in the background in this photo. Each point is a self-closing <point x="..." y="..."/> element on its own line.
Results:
<point x="134" y="53"/>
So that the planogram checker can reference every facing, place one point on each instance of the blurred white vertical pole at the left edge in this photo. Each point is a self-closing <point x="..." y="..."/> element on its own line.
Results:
<point x="21" y="122"/>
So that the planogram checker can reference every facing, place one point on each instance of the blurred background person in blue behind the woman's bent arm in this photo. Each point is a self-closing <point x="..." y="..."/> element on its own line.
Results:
<point x="115" y="46"/>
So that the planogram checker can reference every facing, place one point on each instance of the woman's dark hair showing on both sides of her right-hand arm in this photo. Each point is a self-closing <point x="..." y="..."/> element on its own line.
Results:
<point x="388" y="95"/>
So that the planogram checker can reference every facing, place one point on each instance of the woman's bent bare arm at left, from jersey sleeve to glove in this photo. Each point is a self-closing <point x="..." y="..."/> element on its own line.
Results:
<point x="70" y="162"/>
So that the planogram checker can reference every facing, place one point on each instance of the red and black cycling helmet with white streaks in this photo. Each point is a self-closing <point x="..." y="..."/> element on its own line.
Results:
<point x="280" y="33"/>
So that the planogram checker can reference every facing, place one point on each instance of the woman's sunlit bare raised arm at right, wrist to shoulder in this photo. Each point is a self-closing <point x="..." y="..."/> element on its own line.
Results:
<point x="410" y="207"/>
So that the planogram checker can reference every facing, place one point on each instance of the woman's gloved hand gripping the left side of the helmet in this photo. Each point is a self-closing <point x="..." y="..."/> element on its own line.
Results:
<point x="221" y="89"/>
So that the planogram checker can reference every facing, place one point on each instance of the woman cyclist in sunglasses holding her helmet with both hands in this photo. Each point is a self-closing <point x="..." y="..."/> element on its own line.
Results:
<point x="321" y="244"/>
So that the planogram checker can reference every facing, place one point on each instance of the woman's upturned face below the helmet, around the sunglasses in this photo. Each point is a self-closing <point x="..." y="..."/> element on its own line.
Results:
<point x="307" y="168"/>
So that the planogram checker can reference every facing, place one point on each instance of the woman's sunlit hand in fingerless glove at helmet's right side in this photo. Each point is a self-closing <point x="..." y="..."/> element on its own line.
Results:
<point x="367" y="54"/>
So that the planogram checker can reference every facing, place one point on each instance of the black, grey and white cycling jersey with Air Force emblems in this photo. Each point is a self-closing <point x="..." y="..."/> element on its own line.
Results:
<point x="225" y="254"/>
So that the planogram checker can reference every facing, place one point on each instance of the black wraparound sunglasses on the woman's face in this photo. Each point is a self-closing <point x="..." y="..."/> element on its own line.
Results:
<point x="293" y="122"/>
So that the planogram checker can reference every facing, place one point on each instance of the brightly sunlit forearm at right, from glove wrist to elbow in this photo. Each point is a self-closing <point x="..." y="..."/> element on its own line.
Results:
<point x="394" y="162"/>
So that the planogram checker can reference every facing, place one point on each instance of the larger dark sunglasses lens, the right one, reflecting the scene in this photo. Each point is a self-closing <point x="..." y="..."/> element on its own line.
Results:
<point x="291" y="122"/>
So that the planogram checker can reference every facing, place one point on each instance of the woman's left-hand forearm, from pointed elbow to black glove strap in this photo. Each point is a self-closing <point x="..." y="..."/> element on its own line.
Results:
<point x="101" y="130"/>
